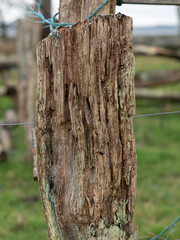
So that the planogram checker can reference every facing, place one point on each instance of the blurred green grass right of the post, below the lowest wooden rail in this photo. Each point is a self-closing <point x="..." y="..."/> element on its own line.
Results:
<point x="158" y="183"/>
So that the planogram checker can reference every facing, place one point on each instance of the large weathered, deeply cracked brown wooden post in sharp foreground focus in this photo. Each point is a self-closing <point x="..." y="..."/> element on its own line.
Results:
<point x="84" y="128"/>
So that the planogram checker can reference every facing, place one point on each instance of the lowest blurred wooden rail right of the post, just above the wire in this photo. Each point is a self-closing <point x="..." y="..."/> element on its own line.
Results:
<point x="157" y="94"/>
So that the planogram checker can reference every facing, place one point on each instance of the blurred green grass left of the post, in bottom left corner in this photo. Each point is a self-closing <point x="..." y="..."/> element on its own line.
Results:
<point x="18" y="219"/>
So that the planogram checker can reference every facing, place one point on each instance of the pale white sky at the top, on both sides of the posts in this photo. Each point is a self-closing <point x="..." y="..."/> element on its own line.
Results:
<point x="143" y="15"/>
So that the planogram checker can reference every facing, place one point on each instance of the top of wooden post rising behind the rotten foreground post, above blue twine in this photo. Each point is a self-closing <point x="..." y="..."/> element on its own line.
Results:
<point x="72" y="11"/>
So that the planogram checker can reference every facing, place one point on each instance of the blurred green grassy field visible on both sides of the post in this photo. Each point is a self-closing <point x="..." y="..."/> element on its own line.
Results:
<point x="158" y="183"/>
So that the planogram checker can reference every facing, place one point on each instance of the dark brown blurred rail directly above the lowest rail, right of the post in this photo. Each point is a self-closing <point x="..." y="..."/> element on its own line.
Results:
<point x="152" y="79"/>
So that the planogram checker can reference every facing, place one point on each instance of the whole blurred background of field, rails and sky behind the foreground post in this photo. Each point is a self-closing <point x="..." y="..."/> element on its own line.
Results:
<point x="157" y="81"/>
